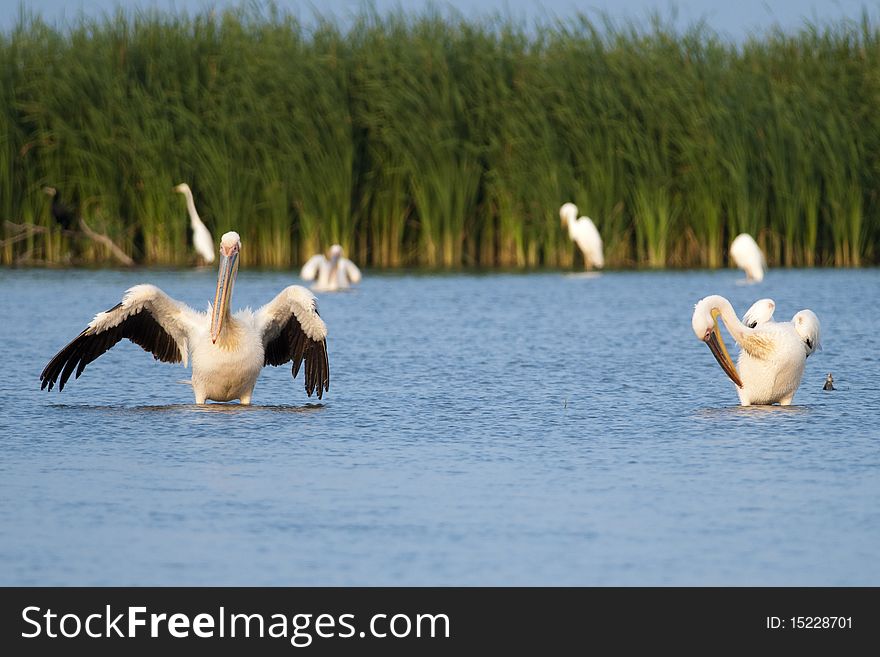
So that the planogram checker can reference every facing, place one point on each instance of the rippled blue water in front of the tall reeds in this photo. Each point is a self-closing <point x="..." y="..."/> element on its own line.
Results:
<point x="541" y="429"/>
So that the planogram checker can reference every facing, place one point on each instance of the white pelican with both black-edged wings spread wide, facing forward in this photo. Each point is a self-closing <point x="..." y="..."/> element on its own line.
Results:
<point x="227" y="351"/>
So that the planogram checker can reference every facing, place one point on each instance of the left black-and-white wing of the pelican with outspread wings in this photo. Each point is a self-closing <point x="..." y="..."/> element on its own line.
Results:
<point x="146" y="316"/>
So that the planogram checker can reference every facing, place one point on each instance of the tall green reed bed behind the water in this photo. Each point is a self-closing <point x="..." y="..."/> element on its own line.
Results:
<point x="432" y="140"/>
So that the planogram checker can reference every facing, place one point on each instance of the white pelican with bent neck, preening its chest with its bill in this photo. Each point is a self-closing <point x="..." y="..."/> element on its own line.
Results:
<point x="773" y="356"/>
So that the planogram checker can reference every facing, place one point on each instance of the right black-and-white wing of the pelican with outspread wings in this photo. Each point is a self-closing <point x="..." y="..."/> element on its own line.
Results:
<point x="292" y="330"/>
